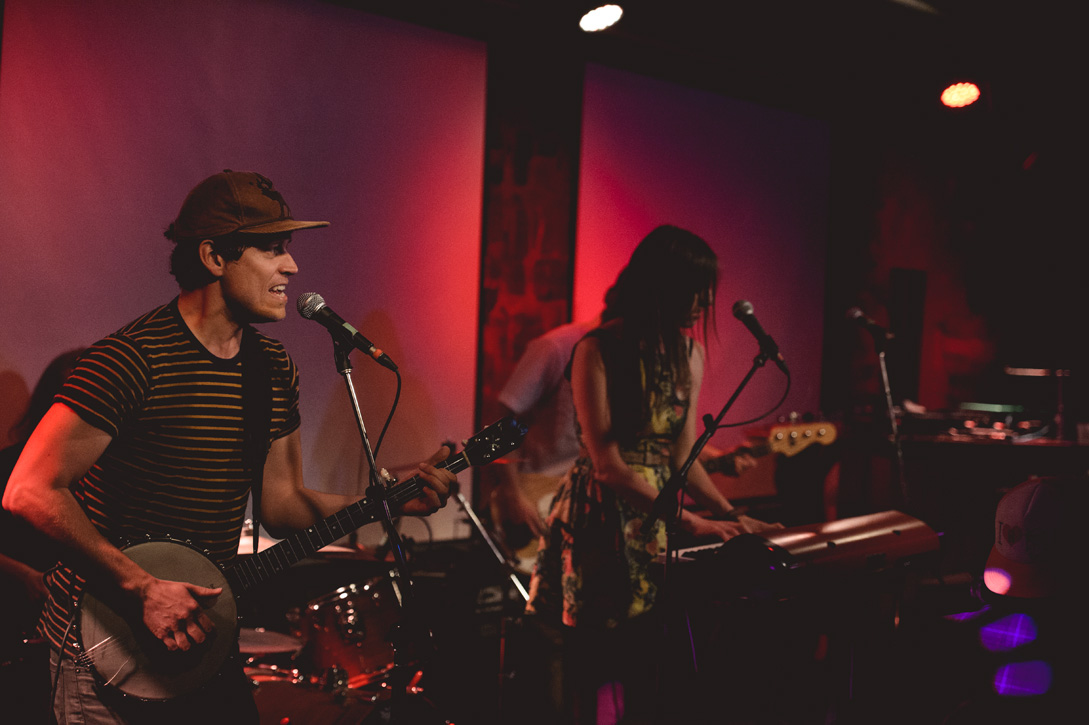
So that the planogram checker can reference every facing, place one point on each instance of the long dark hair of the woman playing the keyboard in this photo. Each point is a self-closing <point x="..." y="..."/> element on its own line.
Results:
<point x="651" y="305"/>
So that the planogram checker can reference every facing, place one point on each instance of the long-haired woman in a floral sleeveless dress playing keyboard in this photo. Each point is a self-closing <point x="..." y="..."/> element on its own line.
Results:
<point x="635" y="382"/>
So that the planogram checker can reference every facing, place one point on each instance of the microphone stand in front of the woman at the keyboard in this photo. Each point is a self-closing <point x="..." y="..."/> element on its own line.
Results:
<point x="669" y="506"/>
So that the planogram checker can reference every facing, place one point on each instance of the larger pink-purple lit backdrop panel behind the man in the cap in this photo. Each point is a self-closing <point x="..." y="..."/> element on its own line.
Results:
<point x="112" y="112"/>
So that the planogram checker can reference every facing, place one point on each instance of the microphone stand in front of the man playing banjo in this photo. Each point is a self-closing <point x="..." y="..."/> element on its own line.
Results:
<point x="377" y="491"/>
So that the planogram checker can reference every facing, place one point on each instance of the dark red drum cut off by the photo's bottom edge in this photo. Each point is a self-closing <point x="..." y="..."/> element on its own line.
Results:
<point x="283" y="697"/>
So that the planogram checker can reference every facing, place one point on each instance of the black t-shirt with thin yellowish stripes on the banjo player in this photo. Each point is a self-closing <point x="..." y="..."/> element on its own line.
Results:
<point x="175" y="468"/>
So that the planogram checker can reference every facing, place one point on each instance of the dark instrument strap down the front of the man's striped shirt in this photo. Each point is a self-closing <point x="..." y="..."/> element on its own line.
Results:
<point x="256" y="416"/>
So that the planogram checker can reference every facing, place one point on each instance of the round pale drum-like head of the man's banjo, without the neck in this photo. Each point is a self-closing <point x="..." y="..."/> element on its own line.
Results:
<point x="127" y="657"/>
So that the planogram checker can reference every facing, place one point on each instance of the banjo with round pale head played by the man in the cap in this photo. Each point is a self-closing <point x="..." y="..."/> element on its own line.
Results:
<point x="125" y="655"/>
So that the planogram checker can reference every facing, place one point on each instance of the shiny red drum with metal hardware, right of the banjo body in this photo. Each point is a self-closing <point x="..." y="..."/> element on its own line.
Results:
<point x="350" y="630"/>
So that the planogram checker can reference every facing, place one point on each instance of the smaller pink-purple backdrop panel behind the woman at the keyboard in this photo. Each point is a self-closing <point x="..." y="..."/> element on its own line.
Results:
<point x="752" y="181"/>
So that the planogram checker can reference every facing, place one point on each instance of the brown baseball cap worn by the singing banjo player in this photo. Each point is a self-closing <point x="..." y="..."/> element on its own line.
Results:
<point x="236" y="202"/>
